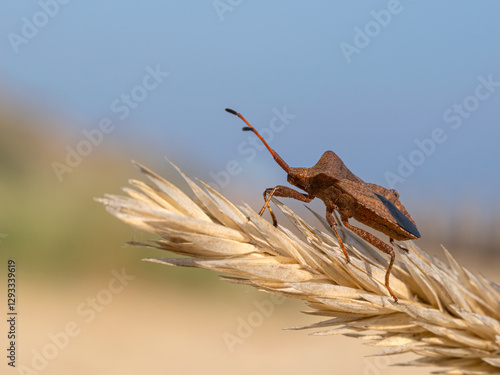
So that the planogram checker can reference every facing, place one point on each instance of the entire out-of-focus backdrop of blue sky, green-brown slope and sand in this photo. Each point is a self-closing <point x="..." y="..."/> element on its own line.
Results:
<point x="406" y="93"/>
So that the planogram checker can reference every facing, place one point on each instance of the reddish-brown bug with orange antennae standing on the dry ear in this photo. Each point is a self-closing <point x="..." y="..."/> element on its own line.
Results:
<point x="341" y="190"/>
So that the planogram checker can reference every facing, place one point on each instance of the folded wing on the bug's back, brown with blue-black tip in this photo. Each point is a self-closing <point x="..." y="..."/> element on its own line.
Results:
<point x="378" y="204"/>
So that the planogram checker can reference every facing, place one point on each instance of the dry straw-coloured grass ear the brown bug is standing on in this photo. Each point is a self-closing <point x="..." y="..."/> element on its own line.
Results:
<point x="446" y="315"/>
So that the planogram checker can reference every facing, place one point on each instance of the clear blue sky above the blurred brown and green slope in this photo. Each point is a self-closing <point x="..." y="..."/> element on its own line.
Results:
<point x="423" y="73"/>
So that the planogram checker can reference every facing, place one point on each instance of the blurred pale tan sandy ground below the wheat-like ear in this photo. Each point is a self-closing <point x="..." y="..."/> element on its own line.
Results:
<point x="131" y="329"/>
